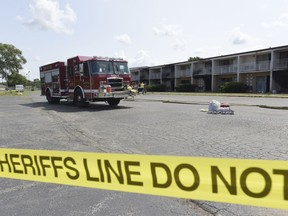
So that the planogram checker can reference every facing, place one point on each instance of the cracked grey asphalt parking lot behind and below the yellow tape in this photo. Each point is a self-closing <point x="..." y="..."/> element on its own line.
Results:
<point x="150" y="124"/>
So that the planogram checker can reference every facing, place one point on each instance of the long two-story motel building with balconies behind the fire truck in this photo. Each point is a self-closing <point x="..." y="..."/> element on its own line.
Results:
<point x="264" y="70"/>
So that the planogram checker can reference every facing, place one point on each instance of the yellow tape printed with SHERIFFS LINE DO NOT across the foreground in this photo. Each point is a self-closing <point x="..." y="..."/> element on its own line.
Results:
<point x="240" y="181"/>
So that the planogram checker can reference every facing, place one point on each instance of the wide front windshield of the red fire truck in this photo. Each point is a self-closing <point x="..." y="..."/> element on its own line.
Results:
<point x="108" y="67"/>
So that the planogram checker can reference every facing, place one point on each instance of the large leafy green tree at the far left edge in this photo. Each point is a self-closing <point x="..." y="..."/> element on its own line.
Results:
<point x="11" y="60"/>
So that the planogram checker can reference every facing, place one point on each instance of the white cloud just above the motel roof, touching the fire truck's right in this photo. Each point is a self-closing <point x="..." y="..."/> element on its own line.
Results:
<point x="142" y="58"/>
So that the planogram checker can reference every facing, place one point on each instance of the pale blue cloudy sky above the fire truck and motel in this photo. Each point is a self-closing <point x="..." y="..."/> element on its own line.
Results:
<point x="145" y="32"/>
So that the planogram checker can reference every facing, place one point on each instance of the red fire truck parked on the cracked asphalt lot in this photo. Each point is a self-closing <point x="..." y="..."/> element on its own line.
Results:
<point x="85" y="79"/>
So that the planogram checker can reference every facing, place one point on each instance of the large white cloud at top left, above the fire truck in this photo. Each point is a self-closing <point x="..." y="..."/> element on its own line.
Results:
<point x="47" y="15"/>
